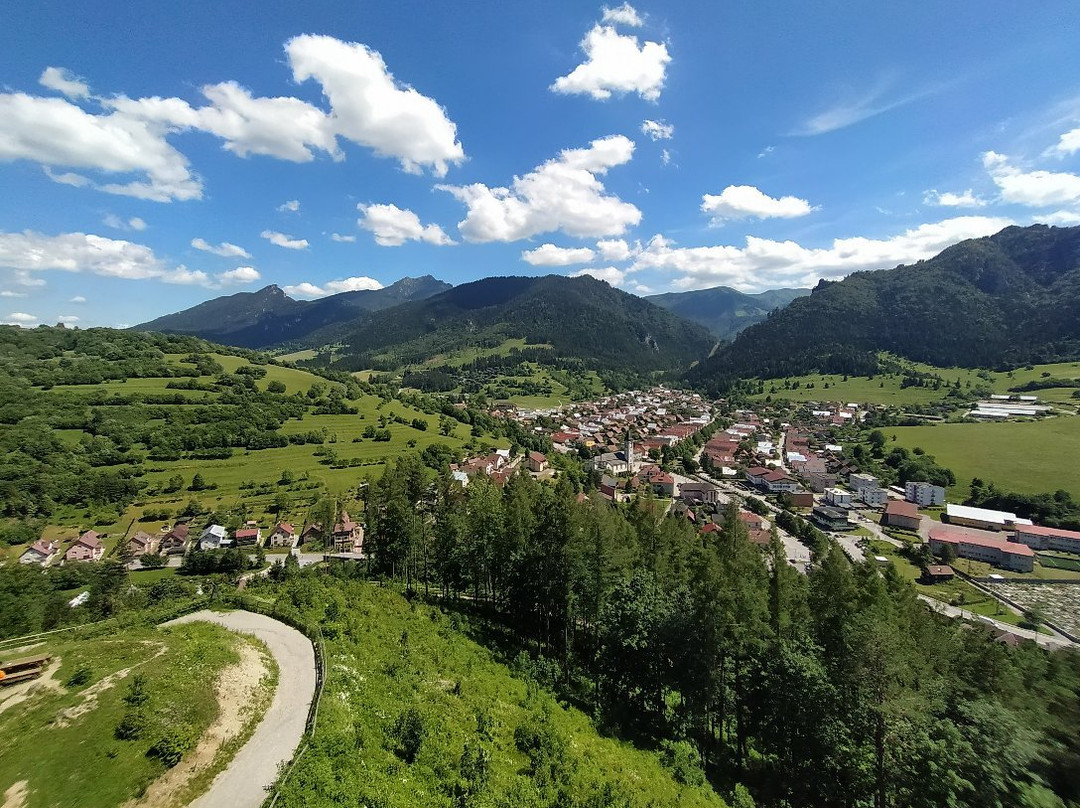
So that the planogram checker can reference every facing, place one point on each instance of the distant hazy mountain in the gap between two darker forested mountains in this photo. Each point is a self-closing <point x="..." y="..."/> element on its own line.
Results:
<point x="726" y="312"/>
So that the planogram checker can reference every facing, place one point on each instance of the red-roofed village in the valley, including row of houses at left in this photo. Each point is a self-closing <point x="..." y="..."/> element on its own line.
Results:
<point x="694" y="457"/>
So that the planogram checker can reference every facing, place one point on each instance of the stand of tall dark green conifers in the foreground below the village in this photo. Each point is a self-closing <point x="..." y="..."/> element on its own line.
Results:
<point x="834" y="689"/>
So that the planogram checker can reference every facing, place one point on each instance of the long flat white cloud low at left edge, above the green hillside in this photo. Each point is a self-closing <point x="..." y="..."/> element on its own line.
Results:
<point x="33" y="252"/>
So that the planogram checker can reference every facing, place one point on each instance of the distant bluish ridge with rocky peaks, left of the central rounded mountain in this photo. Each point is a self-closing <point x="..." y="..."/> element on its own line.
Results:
<point x="271" y="317"/>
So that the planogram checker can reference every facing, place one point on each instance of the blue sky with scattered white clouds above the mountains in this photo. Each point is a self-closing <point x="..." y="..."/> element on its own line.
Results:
<point x="150" y="161"/>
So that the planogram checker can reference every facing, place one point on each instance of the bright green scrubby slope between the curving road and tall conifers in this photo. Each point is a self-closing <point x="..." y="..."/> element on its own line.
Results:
<point x="431" y="719"/>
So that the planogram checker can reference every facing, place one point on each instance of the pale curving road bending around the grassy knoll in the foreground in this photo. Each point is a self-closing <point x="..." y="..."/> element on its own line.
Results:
<point x="244" y="784"/>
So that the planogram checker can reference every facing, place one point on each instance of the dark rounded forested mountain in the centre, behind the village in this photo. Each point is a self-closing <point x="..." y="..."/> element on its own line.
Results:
<point x="579" y="318"/>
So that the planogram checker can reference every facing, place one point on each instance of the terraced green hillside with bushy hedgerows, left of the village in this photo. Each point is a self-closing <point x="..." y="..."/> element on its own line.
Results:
<point x="121" y="432"/>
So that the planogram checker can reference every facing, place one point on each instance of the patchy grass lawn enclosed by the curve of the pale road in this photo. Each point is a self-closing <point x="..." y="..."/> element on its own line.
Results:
<point x="62" y="739"/>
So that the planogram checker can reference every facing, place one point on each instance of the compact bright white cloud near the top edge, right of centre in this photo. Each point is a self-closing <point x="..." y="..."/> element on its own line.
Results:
<point x="616" y="64"/>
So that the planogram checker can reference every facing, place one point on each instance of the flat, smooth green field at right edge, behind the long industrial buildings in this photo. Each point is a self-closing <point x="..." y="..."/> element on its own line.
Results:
<point x="1030" y="456"/>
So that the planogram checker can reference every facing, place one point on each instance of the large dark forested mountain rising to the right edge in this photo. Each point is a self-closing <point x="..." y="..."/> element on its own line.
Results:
<point x="1005" y="300"/>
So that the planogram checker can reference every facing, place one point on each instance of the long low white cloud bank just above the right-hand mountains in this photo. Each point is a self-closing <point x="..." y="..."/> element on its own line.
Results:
<point x="766" y="264"/>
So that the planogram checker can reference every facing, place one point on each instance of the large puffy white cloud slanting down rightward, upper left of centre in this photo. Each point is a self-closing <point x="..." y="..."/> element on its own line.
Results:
<point x="372" y="109"/>
